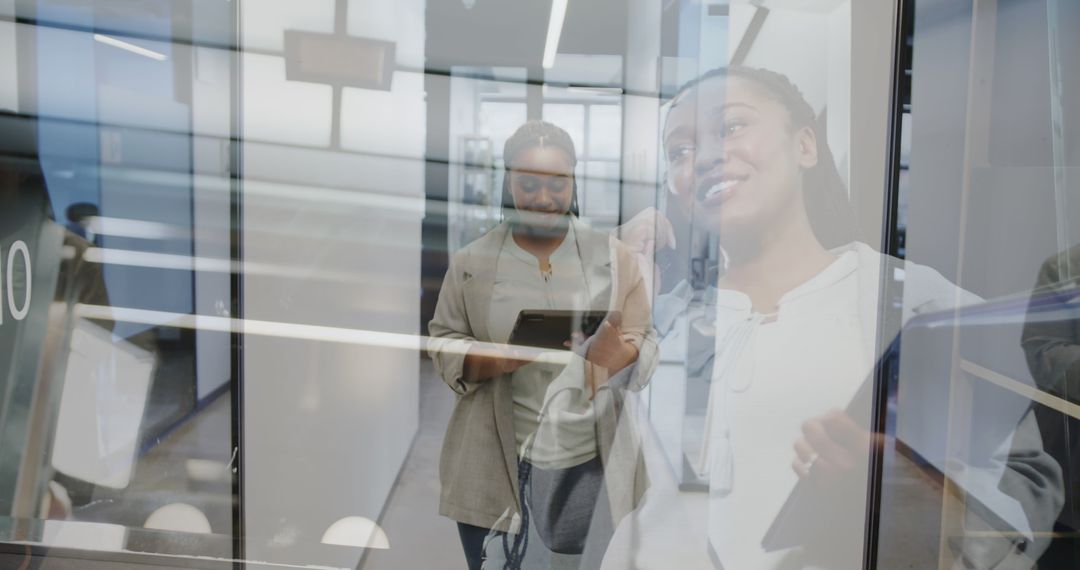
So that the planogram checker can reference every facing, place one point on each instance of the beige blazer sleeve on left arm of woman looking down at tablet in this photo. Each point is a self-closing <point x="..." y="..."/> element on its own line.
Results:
<point x="450" y="334"/>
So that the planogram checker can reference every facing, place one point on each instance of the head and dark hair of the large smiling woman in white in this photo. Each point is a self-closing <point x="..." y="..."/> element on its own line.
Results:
<point x="748" y="138"/>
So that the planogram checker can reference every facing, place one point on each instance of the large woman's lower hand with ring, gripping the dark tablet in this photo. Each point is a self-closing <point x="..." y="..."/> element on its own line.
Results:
<point x="833" y="449"/>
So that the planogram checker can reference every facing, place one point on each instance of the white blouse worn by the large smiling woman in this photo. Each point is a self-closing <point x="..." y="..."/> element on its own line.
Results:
<point x="774" y="373"/>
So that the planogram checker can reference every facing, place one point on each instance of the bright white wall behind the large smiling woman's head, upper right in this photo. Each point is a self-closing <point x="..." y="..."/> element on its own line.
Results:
<point x="840" y="55"/>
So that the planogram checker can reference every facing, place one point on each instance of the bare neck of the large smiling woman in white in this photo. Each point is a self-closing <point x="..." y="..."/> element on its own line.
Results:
<point x="776" y="264"/>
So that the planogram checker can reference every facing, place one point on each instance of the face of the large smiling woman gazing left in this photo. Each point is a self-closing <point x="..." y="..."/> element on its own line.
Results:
<point x="734" y="158"/>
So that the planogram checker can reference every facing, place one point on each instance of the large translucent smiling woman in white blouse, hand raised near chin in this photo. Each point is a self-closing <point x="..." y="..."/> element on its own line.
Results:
<point x="791" y="322"/>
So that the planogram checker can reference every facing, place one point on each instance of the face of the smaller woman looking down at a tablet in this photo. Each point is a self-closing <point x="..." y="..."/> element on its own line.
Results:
<point x="542" y="184"/>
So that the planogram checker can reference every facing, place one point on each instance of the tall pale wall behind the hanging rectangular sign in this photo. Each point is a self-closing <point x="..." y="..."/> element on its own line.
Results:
<point x="328" y="425"/>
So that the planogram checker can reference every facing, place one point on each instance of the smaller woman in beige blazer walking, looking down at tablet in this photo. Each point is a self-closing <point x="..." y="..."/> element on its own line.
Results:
<point x="525" y="460"/>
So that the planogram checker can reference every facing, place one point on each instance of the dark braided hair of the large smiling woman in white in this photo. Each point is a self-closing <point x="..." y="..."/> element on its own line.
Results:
<point x="828" y="205"/>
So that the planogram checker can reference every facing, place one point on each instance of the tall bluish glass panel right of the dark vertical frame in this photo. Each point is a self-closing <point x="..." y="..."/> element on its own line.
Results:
<point x="979" y="458"/>
